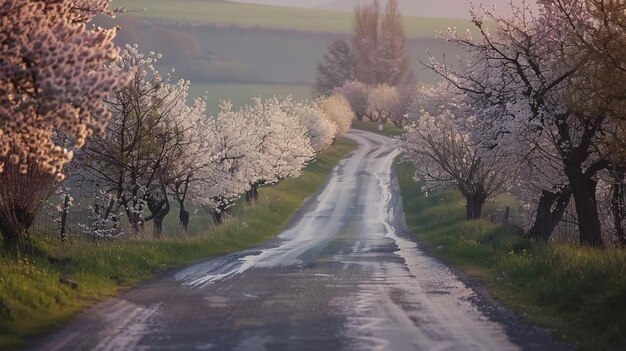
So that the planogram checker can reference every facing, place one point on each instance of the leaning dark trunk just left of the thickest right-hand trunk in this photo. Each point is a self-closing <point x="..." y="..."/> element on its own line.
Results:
<point x="547" y="218"/>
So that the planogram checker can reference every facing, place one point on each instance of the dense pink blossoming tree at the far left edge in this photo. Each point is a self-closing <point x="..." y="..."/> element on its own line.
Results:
<point x="53" y="77"/>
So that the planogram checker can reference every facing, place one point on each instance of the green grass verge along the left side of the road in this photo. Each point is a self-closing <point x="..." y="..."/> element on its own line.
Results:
<point x="32" y="299"/>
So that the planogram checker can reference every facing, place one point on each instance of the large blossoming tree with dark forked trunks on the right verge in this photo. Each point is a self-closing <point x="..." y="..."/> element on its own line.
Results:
<point x="527" y="82"/>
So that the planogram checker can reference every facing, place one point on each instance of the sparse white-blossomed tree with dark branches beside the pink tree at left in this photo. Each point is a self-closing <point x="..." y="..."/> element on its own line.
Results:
<point x="146" y="145"/>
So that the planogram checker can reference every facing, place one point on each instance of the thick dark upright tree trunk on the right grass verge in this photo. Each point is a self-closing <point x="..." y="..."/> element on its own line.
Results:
<point x="590" y="229"/>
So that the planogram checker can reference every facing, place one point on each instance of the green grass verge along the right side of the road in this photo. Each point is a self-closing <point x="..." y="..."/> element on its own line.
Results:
<point x="577" y="292"/>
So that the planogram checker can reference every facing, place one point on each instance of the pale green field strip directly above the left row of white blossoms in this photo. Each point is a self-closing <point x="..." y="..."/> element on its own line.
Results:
<point x="241" y="93"/>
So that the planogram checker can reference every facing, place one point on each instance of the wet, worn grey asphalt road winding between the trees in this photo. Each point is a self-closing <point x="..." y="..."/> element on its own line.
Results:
<point x="345" y="276"/>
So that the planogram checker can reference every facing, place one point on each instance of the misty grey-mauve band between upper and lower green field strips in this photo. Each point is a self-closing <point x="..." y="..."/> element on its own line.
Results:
<point x="210" y="53"/>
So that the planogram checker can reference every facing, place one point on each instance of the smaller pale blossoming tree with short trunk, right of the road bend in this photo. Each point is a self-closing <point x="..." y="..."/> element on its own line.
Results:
<point x="443" y="153"/>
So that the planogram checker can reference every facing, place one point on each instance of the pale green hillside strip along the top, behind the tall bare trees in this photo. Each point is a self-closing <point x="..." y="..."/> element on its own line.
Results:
<point x="250" y="15"/>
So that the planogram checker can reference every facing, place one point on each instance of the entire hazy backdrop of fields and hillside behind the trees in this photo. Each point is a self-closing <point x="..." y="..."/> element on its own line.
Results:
<point x="259" y="56"/>
